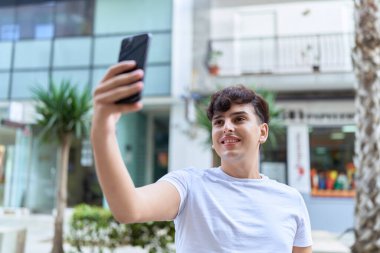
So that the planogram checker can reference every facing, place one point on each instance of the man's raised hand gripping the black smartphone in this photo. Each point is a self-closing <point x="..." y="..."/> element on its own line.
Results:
<point x="113" y="87"/>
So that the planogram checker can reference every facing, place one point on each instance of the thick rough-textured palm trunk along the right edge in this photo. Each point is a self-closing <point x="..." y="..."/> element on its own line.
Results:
<point x="366" y="59"/>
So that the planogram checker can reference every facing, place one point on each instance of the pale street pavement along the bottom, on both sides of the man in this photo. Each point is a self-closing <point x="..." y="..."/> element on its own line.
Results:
<point x="40" y="229"/>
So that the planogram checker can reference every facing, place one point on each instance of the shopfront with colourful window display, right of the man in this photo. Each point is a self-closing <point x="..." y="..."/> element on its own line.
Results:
<point x="317" y="157"/>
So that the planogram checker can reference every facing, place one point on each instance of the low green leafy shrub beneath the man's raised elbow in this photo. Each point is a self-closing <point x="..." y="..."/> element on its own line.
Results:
<point x="96" y="228"/>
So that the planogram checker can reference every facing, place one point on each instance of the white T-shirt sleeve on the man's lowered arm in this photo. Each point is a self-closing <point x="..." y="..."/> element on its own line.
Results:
<point x="303" y="235"/>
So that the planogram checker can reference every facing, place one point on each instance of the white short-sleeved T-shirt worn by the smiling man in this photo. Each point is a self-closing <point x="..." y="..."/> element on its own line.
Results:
<point x="219" y="213"/>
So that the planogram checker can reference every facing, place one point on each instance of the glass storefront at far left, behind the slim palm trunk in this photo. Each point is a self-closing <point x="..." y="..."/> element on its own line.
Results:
<point x="28" y="166"/>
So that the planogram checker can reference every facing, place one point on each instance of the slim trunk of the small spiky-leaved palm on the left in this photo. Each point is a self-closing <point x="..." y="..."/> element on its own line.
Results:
<point x="61" y="194"/>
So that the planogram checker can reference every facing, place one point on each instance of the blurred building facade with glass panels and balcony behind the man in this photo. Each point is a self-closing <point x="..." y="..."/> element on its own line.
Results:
<point x="299" y="49"/>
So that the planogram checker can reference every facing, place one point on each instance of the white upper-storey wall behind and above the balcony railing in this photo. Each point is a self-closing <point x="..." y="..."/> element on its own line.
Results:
<point x="297" y="48"/>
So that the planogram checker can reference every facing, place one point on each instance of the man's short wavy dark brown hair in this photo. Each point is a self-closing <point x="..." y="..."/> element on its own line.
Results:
<point x="222" y="100"/>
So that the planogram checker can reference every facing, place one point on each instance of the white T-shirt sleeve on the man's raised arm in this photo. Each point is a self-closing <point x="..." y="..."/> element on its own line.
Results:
<point x="181" y="179"/>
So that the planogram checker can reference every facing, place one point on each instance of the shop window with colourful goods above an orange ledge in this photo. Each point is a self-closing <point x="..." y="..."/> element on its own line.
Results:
<point x="331" y="156"/>
